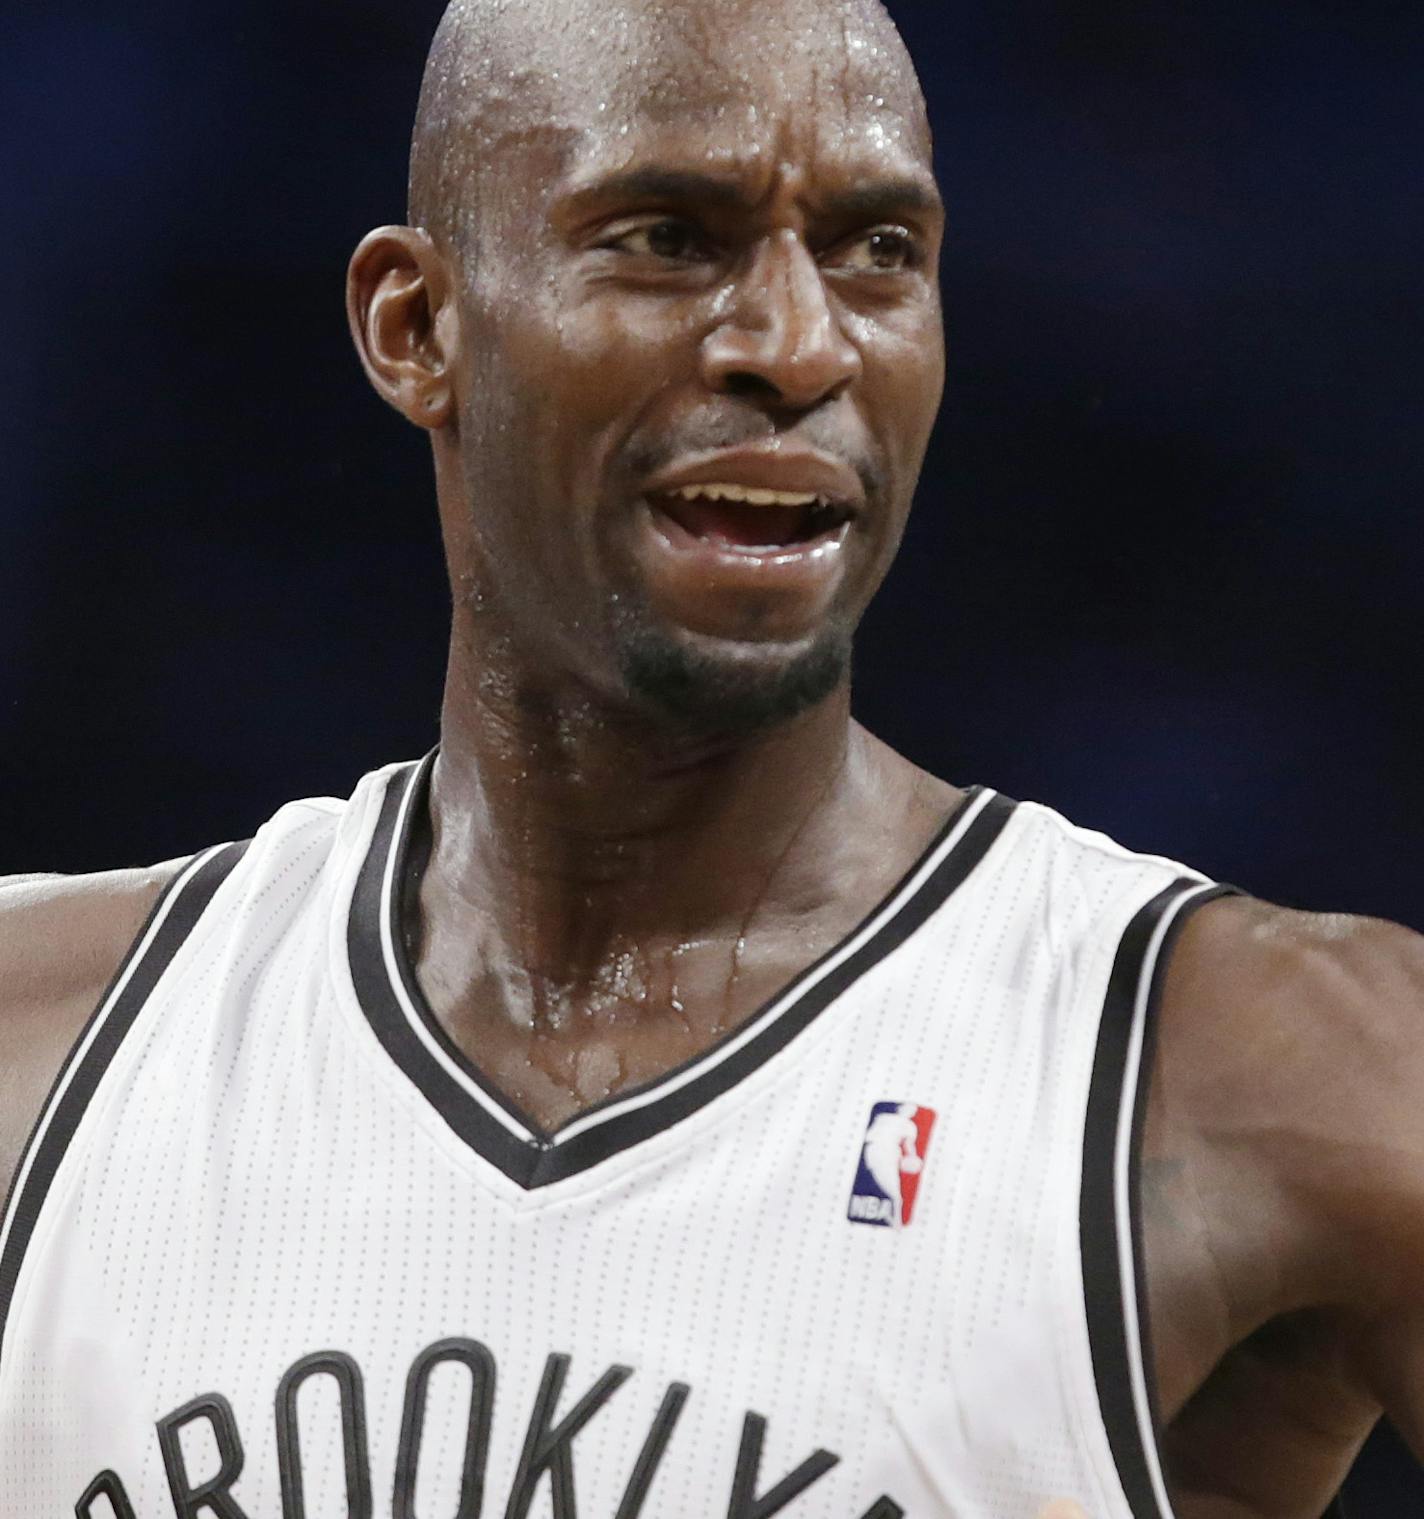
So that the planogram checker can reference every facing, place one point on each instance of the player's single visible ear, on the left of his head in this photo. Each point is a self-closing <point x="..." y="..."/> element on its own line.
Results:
<point x="403" y="323"/>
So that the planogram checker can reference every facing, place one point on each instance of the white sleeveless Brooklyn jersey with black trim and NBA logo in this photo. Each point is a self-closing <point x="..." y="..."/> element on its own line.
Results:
<point x="277" y="1251"/>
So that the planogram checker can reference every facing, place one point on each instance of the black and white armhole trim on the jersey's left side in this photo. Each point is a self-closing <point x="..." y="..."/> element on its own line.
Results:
<point x="168" y="926"/>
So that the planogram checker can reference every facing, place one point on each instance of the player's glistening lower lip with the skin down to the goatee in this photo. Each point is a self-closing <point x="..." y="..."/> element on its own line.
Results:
<point x="735" y="590"/>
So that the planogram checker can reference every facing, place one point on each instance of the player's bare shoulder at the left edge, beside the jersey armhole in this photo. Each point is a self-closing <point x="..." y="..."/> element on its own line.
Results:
<point x="62" y="941"/>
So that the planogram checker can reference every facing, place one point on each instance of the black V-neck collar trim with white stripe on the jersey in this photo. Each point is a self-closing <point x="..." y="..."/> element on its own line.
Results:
<point x="484" y="1119"/>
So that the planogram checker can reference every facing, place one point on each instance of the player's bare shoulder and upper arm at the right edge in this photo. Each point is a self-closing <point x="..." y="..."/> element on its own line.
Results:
<point x="1282" y="1192"/>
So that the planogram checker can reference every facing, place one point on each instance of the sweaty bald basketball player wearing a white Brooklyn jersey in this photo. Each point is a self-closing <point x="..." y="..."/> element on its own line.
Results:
<point x="493" y="1142"/>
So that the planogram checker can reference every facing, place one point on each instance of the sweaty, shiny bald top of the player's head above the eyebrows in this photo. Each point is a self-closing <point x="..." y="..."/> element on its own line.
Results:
<point x="581" y="80"/>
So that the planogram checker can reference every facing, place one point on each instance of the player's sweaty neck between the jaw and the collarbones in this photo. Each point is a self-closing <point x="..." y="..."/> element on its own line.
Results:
<point x="560" y="820"/>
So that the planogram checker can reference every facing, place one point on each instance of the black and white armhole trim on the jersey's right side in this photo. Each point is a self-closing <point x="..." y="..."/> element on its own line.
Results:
<point x="1110" y="1219"/>
